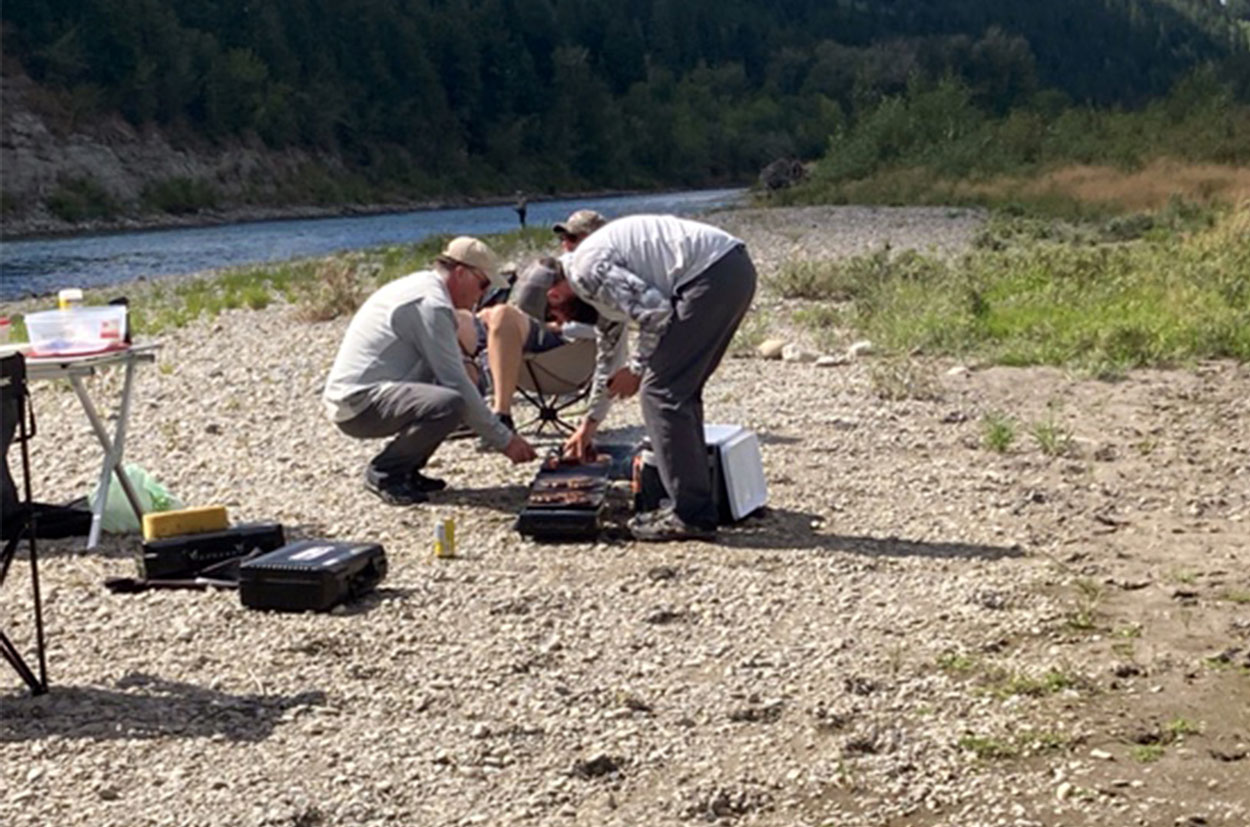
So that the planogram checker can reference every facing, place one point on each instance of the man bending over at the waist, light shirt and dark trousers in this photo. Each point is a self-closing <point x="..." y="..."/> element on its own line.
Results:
<point x="687" y="285"/>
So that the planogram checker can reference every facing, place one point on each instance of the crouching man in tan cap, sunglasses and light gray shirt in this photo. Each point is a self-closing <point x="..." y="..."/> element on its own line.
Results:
<point x="401" y="373"/>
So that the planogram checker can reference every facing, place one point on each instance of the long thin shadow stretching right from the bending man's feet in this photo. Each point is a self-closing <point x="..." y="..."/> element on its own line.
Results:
<point x="786" y="529"/>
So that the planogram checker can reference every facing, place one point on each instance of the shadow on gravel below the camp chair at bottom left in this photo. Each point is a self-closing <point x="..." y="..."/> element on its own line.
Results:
<point x="147" y="708"/>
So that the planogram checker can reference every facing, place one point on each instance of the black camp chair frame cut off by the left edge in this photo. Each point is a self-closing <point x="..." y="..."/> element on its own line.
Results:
<point x="21" y="518"/>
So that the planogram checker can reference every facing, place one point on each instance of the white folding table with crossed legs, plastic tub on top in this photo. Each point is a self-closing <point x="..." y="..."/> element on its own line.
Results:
<point x="74" y="369"/>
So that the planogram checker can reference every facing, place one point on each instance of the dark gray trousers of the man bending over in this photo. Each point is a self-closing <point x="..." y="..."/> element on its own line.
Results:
<point x="707" y="313"/>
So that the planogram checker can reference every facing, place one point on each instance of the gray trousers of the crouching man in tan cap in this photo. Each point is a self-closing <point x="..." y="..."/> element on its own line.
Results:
<point x="421" y="417"/>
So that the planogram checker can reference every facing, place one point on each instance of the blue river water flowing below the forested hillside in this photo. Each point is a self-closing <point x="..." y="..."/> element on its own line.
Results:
<point x="42" y="267"/>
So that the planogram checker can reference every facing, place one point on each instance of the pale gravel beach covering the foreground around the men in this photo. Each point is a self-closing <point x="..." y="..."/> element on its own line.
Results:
<point x="917" y="631"/>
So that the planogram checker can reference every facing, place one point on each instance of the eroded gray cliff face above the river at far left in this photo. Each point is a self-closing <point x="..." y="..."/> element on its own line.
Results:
<point x="111" y="176"/>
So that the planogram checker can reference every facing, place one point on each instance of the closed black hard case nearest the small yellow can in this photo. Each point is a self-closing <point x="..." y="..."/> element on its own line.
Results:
<point x="312" y="575"/>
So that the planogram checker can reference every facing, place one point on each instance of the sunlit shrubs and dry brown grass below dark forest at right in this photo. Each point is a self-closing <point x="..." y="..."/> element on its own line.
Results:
<point x="936" y="146"/>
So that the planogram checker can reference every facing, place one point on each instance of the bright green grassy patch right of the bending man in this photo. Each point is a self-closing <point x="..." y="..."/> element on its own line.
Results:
<point x="1148" y="290"/>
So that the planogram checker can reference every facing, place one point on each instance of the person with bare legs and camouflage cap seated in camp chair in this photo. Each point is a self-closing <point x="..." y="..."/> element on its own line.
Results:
<point x="506" y="333"/>
